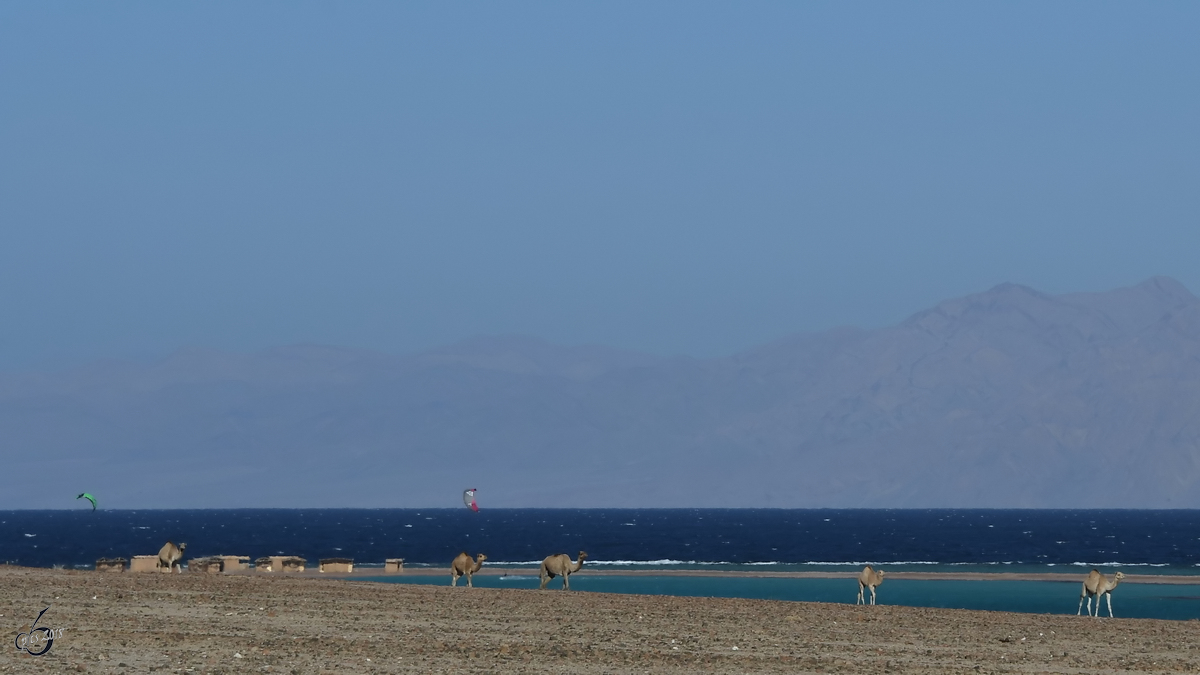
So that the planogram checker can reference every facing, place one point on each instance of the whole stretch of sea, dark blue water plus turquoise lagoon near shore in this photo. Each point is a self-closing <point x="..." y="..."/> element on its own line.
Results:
<point x="1143" y="542"/>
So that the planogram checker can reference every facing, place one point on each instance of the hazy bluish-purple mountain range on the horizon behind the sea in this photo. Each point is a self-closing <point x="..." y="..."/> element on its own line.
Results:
<point x="1009" y="398"/>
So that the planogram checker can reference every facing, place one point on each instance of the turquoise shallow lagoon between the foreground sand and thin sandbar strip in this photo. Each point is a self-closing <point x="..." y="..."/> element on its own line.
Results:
<point x="1132" y="601"/>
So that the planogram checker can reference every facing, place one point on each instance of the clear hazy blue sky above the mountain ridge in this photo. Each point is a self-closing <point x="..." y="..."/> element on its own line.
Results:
<point x="673" y="177"/>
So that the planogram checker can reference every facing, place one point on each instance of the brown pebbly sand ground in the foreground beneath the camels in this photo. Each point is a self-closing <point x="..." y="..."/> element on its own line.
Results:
<point x="283" y="624"/>
